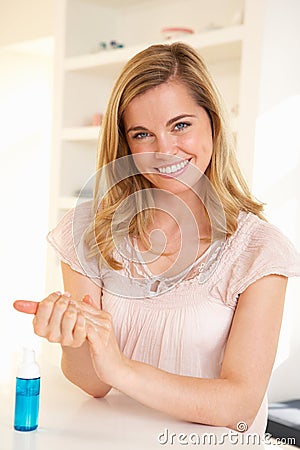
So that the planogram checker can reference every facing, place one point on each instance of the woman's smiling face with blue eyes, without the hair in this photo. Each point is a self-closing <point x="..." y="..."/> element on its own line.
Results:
<point x="170" y="136"/>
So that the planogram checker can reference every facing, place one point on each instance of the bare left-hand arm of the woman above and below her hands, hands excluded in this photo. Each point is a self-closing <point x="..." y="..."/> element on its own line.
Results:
<point x="76" y="363"/>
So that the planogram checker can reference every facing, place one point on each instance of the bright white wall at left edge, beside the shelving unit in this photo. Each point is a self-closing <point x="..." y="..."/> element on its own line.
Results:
<point x="25" y="118"/>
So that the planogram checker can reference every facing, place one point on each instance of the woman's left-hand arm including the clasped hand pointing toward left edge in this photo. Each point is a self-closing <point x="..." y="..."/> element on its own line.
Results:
<point x="64" y="319"/>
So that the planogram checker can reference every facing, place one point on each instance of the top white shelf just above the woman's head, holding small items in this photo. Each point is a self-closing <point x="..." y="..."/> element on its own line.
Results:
<point x="208" y="39"/>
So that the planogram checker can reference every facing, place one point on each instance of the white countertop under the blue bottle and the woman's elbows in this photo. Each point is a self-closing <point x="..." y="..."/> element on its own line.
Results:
<point x="71" y="420"/>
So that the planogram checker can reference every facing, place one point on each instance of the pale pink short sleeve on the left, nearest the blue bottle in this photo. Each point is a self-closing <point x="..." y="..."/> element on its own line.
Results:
<point x="68" y="240"/>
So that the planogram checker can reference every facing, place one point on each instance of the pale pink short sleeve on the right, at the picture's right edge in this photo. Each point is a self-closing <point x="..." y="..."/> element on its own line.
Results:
<point x="267" y="251"/>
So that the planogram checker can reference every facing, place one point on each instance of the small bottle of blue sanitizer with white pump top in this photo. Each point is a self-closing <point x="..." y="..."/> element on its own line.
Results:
<point x="27" y="393"/>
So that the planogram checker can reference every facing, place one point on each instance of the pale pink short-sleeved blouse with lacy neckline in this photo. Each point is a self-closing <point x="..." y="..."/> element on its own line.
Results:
<point x="182" y="325"/>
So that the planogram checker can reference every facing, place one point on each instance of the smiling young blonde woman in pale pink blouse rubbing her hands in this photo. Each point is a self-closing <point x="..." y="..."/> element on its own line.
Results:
<point x="175" y="282"/>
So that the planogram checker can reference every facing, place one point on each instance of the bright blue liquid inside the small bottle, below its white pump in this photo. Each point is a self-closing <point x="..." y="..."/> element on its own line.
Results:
<point x="27" y="404"/>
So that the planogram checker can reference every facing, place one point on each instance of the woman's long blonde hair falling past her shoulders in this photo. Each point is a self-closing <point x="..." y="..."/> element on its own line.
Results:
<point x="150" y="68"/>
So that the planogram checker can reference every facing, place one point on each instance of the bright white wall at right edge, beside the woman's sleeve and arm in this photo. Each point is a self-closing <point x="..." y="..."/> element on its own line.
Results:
<point x="277" y="167"/>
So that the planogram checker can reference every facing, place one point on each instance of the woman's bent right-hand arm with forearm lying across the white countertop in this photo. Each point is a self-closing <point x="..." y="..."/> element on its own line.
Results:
<point x="248" y="360"/>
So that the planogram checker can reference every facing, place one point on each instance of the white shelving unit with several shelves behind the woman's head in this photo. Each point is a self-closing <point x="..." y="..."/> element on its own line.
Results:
<point x="84" y="75"/>
